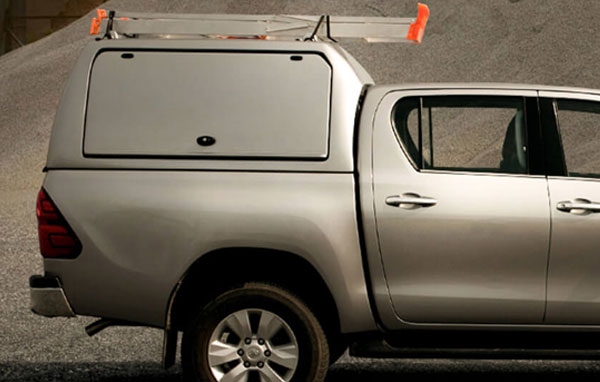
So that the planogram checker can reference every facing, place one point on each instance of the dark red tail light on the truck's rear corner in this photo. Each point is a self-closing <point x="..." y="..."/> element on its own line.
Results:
<point x="57" y="239"/>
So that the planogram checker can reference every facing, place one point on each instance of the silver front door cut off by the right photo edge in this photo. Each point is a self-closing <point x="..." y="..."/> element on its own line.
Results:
<point x="574" y="266"/>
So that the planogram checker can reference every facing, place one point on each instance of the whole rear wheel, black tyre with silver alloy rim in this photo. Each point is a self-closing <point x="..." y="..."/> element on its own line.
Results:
<point x="257" y="332"/>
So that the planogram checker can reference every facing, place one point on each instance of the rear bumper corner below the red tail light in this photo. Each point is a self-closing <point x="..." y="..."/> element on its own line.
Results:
<point x="48" y="297"/>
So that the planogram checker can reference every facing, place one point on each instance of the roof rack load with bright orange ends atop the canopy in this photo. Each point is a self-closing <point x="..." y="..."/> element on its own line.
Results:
<point x="265" y="27"/>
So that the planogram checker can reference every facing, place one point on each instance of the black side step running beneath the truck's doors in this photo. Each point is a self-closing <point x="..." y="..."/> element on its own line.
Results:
<point x="497" y="345"/>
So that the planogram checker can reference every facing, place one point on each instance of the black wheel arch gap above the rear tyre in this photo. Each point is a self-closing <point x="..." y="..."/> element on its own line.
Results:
<point x="212" y="274"/>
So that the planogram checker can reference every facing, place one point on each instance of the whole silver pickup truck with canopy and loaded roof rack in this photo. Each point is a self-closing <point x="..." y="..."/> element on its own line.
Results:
<point x="263" y="197"/>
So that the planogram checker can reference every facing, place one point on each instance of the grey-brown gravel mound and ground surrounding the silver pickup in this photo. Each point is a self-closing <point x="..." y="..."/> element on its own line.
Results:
<point x="531" y="41"/>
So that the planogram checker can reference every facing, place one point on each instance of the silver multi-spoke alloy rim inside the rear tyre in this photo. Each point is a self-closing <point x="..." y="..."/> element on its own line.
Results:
<point x="253" y="345"/>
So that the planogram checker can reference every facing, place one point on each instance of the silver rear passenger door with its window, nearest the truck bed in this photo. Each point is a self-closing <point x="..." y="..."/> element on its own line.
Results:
<point x="462" y="215"/>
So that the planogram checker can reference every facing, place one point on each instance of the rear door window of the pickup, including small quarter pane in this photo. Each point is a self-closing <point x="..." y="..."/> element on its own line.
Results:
<point x="466" y="133"/>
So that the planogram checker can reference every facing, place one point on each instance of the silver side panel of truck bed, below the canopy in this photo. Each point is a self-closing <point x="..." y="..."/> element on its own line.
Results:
<point x="141" y="230"/>
